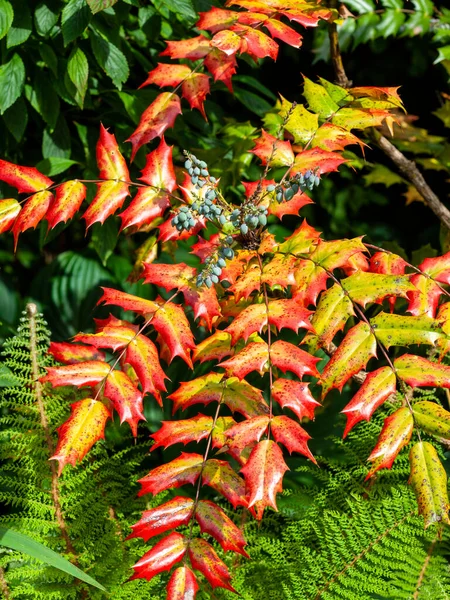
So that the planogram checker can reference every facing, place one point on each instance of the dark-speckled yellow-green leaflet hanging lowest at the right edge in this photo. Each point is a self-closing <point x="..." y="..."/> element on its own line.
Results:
<point x="429" y="482"/>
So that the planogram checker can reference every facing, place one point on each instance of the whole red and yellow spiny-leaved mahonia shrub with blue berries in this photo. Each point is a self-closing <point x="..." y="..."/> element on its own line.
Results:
<point x="274" y="307"/>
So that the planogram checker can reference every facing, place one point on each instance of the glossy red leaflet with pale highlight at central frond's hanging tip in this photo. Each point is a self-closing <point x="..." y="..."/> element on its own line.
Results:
<point x="263" y="474"/>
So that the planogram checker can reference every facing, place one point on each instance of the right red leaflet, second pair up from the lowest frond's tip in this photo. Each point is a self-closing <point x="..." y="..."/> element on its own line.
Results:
<point x="215" y="522"/>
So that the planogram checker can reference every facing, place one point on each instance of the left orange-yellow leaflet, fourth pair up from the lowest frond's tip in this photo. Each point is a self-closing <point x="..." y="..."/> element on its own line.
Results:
<point x="182" y="431"/>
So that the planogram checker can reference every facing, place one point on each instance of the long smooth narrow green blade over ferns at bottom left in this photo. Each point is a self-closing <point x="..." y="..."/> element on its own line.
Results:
<point x="22" y="543"/>
